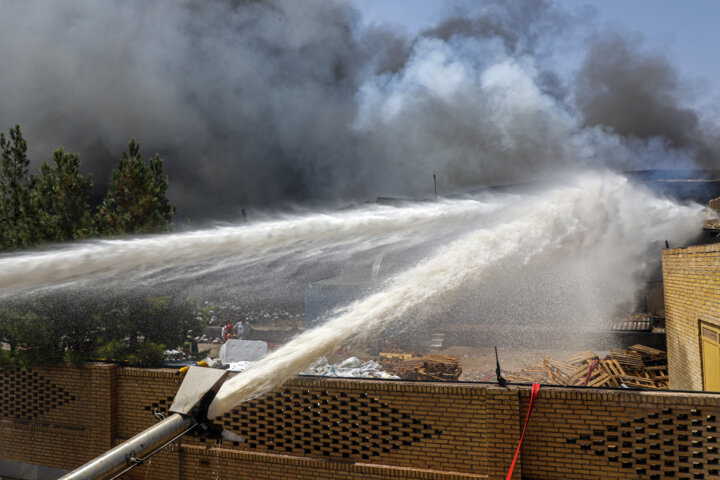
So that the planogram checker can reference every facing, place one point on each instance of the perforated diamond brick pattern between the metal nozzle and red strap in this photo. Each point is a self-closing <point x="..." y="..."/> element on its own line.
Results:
<point x="350" y="425"/>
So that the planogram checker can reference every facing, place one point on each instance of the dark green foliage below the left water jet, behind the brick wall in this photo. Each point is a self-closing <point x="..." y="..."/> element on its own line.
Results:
<point x="131" y="327"/>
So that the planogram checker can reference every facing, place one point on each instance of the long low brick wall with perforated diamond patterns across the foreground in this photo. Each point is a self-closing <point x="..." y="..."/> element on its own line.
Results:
<point x="316" y="428"/>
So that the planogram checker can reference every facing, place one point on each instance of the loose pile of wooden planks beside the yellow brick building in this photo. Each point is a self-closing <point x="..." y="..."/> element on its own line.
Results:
<point x="637" y="367"/>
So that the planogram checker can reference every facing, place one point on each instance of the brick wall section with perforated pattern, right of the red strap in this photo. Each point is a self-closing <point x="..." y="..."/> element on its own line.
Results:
<point x="597" y="434"/>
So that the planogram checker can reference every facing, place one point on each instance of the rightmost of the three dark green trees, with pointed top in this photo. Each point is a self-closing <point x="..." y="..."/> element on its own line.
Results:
<point x="136" y="201"/>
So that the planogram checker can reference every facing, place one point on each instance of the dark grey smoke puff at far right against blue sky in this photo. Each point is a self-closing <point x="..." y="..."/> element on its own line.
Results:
<point x="641" y="96"/>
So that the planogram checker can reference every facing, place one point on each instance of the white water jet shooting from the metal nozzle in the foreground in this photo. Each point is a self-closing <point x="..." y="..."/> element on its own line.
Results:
<point x="597" y="212"/>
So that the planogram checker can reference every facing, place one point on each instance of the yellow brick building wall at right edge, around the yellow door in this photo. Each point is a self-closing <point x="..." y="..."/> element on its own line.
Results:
<point x="691" y="278"/>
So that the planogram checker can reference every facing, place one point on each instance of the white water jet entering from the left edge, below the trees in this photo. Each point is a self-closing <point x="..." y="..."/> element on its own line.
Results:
<point x="227" y="245"/>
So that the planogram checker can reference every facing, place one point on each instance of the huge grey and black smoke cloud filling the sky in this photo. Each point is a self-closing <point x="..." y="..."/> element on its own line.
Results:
<point x="267" y="103"/>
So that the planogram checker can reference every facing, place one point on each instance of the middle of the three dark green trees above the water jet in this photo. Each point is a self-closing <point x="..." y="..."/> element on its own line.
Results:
<point x="61" y="199"/>
